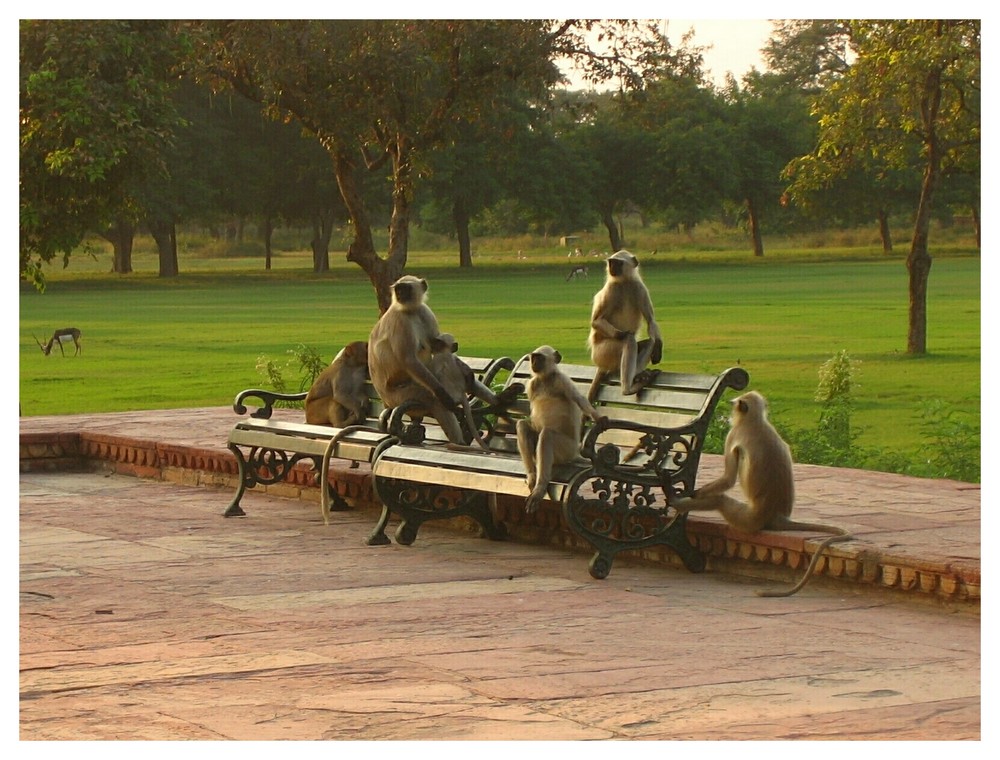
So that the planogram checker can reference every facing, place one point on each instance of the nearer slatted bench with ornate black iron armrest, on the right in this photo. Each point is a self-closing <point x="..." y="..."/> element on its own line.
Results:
<point x="613" y="504"/>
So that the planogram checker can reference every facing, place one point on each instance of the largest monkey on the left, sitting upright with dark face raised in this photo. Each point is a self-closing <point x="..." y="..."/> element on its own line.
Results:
<point x="399" y="351"/>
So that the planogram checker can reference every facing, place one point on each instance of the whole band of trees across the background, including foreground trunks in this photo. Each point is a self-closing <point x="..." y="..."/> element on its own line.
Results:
<point x="465" y="125"/>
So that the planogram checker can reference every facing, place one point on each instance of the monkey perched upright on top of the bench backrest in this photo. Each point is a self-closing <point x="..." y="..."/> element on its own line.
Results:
<point x="619" y="309"/>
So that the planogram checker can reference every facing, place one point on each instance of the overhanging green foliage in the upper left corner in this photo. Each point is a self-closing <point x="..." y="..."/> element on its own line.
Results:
<point x="95" y="113"/>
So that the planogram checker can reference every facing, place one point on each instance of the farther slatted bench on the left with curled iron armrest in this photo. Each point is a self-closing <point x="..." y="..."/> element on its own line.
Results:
<point x="274" y="447"/>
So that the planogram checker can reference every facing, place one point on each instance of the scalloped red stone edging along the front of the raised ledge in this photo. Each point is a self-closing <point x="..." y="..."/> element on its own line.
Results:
<point x="768" y="555"/>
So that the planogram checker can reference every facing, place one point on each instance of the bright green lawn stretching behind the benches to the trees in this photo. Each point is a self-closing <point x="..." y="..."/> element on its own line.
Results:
<point x="195" y="340"/>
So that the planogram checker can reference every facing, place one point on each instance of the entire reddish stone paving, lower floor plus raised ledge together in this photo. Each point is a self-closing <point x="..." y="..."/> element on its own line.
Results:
<point x="146" y="615"/>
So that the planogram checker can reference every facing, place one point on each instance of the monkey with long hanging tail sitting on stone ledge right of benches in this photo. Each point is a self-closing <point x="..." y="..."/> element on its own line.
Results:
<point x="756" y="455"/>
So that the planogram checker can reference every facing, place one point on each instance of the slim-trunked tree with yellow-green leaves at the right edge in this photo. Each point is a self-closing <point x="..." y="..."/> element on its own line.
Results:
<point x="913" y="88"/>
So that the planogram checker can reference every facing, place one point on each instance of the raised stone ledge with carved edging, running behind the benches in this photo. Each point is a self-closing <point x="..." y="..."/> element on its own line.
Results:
<point x="913" y="535"/>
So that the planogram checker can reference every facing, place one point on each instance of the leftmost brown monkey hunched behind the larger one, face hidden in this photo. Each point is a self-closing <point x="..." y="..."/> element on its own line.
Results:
<point x="338" y="396"/>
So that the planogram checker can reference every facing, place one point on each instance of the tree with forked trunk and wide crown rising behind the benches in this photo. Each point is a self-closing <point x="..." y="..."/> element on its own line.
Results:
<point x="383" y="94"/>
